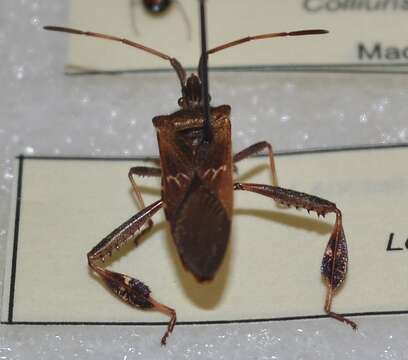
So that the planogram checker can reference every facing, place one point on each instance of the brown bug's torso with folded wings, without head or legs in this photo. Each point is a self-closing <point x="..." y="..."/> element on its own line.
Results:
<point x="197" y="186"/>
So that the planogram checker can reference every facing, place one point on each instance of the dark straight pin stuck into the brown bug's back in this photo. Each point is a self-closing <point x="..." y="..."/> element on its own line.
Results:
<point x="203" y="73"/>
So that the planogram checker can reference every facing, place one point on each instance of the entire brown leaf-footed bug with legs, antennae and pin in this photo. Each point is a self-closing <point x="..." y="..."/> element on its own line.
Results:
<point x="196" y="170"/>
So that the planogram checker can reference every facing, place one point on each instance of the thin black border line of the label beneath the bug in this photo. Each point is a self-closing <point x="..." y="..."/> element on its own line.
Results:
<point x="21" y="158"/>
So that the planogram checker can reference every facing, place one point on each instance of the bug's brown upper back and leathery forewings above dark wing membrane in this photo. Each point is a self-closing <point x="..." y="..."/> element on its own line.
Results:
<point x="183" y="155"/>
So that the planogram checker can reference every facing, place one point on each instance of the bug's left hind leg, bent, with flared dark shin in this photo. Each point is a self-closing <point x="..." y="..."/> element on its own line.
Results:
<point x="130" y="290"/>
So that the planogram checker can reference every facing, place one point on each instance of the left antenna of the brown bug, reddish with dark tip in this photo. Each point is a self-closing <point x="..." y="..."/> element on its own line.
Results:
<point x="181" y="73"/>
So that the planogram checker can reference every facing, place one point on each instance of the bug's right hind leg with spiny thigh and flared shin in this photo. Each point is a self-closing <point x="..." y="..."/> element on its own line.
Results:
<point x="335" y="258"/>
